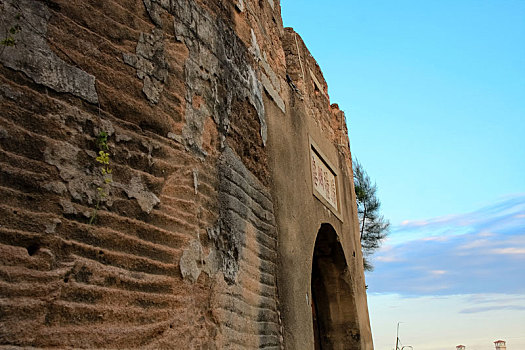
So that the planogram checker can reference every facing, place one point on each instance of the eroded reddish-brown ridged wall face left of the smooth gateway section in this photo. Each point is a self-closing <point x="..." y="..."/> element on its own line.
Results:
<point x="171" y="241"/>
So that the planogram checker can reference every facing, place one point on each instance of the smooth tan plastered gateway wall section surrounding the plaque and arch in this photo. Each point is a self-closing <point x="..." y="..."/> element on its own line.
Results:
<point x="312" y="122"/>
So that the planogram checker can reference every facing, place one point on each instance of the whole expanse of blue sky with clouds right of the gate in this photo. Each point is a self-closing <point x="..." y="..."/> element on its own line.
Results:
<point x="434" y="95"/>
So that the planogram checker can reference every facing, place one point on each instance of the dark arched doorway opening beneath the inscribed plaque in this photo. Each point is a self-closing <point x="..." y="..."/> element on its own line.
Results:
<point x="334" y="311"/>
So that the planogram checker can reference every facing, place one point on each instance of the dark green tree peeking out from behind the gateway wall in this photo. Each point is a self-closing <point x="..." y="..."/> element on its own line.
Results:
<point x="373" y="226"/>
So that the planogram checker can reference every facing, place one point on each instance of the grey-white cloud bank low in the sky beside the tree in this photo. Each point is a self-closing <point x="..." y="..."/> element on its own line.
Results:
<point x="477" y="252"/>
